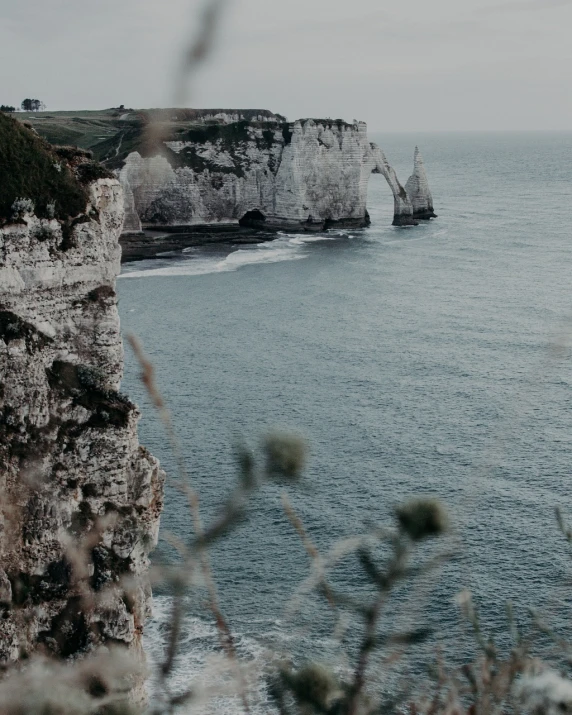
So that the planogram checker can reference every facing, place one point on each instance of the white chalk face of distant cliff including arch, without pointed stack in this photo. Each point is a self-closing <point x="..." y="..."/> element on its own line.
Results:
<point x="309" y="174"/>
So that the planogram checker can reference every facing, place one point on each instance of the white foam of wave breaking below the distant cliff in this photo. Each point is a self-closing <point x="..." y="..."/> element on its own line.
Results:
<point x="288" y="247"/>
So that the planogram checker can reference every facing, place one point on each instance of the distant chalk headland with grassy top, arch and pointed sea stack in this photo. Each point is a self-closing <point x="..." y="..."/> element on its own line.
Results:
<point x="182" y="168"/>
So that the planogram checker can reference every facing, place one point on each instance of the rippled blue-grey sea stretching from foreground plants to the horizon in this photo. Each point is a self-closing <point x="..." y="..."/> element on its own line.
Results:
<point x="433" y="360"/>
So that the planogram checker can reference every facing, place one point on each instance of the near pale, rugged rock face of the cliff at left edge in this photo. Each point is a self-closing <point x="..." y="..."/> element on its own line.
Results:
<point x="80" y="499"/>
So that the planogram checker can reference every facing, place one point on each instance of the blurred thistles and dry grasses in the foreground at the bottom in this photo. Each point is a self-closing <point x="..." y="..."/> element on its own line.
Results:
<point x="387" y="555"/>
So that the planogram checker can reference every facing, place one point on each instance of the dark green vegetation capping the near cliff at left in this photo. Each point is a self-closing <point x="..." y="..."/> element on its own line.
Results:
<point x="29" y="167"/>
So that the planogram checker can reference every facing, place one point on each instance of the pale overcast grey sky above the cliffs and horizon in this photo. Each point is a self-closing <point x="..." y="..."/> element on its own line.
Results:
<point x="412" y="65"/>
